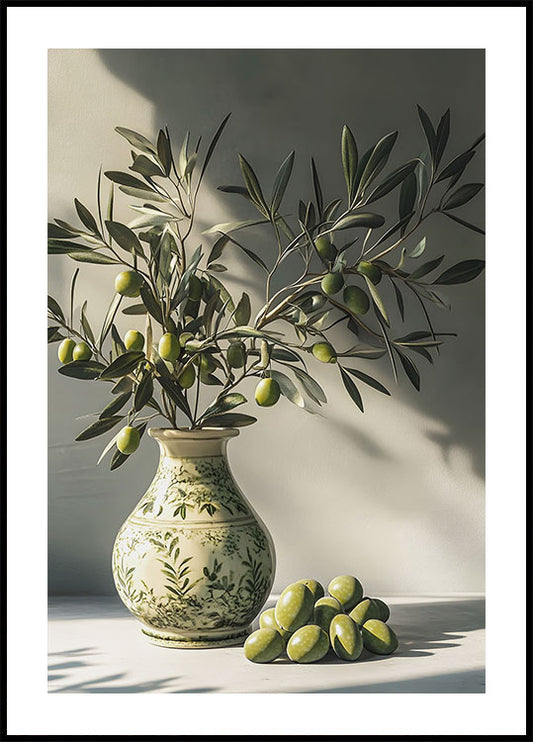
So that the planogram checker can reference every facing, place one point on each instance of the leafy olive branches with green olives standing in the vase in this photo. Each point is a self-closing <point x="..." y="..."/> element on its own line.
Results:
<point x="200" y="343"/>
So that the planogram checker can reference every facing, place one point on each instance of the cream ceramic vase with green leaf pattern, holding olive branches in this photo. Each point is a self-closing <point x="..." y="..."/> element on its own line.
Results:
<point x="193" y="561"/>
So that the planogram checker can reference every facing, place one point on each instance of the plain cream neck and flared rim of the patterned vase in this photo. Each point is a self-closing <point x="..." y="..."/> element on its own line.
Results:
<point x="192" y="443"/>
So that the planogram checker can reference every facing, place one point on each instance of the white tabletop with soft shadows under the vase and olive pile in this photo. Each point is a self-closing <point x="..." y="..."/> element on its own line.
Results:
<point x="95" y="646"/>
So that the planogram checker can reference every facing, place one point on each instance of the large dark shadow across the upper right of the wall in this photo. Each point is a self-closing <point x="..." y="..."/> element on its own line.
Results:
<point x="287" y="99"/>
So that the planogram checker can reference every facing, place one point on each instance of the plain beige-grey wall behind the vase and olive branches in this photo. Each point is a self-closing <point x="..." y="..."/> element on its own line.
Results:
<point x="395" y="495"/>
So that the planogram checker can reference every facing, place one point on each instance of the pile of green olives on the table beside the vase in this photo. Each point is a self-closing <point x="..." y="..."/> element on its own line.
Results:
<point x="307" y="624"/>
